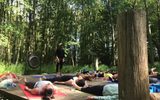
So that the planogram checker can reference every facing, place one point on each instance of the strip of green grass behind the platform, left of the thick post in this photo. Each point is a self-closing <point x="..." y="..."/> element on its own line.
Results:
<point x="23" y="69"/>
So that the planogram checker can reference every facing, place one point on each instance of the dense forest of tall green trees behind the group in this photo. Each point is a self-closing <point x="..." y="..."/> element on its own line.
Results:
<point x="87" y="28"/>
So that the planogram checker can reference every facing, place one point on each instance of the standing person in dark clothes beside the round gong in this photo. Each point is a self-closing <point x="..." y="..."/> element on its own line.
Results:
<point x="60" y="54"/>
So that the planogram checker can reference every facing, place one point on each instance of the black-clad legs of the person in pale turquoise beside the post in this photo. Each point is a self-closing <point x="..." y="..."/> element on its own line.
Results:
<point x="95" y="90"/>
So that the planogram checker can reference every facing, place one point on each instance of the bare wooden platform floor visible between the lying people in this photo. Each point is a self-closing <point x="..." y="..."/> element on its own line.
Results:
<point x="72" y="94"/>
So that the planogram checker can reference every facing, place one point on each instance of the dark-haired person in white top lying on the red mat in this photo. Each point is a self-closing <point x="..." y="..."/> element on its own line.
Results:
<point x="42" y="87"/>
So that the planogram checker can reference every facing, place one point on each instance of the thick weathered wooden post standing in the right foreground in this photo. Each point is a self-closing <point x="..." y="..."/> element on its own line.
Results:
<point x="132" y="56"/>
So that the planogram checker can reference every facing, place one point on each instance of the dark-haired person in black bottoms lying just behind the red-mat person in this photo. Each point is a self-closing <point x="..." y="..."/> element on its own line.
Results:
<point x="67" y="80"/>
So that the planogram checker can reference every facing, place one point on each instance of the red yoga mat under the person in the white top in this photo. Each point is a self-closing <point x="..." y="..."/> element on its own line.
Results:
<point x="31" y="96"/>
